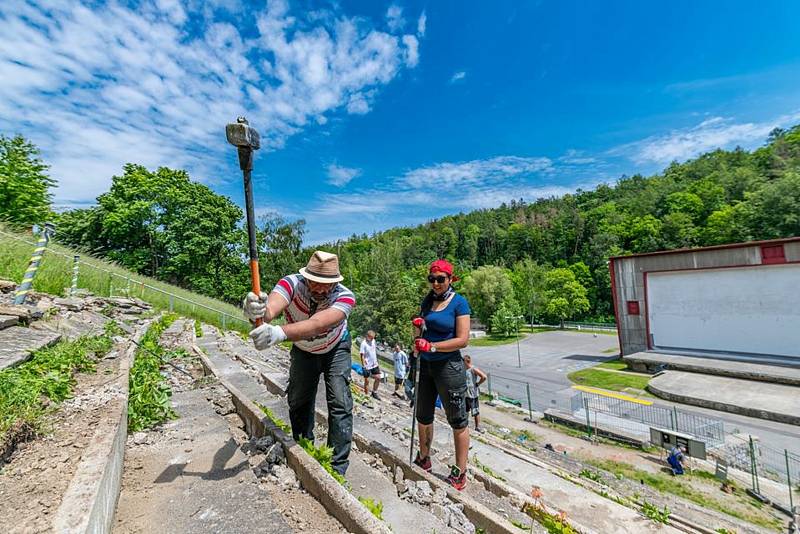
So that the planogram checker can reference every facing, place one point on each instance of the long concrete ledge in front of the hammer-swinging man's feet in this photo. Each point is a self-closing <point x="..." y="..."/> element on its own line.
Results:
<point x="335" y="498"/>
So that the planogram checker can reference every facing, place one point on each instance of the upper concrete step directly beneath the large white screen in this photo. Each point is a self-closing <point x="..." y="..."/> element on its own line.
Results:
<point x="749" y="370"/>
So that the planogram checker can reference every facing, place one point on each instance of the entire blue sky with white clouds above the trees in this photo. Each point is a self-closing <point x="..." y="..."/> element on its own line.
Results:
<point x="378" y="114"/>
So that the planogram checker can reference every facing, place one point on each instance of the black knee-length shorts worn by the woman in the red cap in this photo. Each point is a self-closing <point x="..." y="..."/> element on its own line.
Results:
<point x="448" y="379"/>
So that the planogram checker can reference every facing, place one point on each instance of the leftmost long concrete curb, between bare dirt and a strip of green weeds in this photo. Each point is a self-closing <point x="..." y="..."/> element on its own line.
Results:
<point x="90" y="501"/>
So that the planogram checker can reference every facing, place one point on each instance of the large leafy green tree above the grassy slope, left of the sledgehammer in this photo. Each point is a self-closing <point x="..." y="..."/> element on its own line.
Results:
<point x="164" y="225"/>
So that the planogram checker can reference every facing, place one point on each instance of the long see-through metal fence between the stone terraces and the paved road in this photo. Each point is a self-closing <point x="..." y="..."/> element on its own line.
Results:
<point x="774" y="473"/>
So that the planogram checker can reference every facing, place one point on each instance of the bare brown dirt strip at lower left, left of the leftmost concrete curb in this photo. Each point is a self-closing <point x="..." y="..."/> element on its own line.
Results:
<point x="38" y="472"/>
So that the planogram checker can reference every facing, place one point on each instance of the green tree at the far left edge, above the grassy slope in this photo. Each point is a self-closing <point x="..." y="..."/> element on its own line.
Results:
<point x="25" y="195"/>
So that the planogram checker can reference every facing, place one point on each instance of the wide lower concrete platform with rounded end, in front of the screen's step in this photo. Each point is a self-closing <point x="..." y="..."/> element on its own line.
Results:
<point x="774" y="402"/>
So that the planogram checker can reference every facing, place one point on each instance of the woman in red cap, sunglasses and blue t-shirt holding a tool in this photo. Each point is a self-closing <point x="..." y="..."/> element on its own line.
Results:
<point x="438" y="344"/>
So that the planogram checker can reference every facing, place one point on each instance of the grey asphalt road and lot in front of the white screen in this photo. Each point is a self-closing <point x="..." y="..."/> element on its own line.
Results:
<point x="548" y="357"/>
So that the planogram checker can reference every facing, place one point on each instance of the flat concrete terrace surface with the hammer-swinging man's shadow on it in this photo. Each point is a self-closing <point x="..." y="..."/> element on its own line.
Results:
<point x="204" y="481"/>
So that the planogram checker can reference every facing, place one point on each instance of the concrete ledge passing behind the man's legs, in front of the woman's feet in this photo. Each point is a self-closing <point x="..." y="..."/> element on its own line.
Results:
<point x="478" y="514"/>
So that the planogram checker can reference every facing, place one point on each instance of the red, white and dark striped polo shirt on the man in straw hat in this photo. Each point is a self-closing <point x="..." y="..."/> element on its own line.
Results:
<point x="295" y="290"/>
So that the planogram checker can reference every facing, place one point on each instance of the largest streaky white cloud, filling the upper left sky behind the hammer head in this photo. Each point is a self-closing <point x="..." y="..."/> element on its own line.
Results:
<point x="96" y="86"/>
